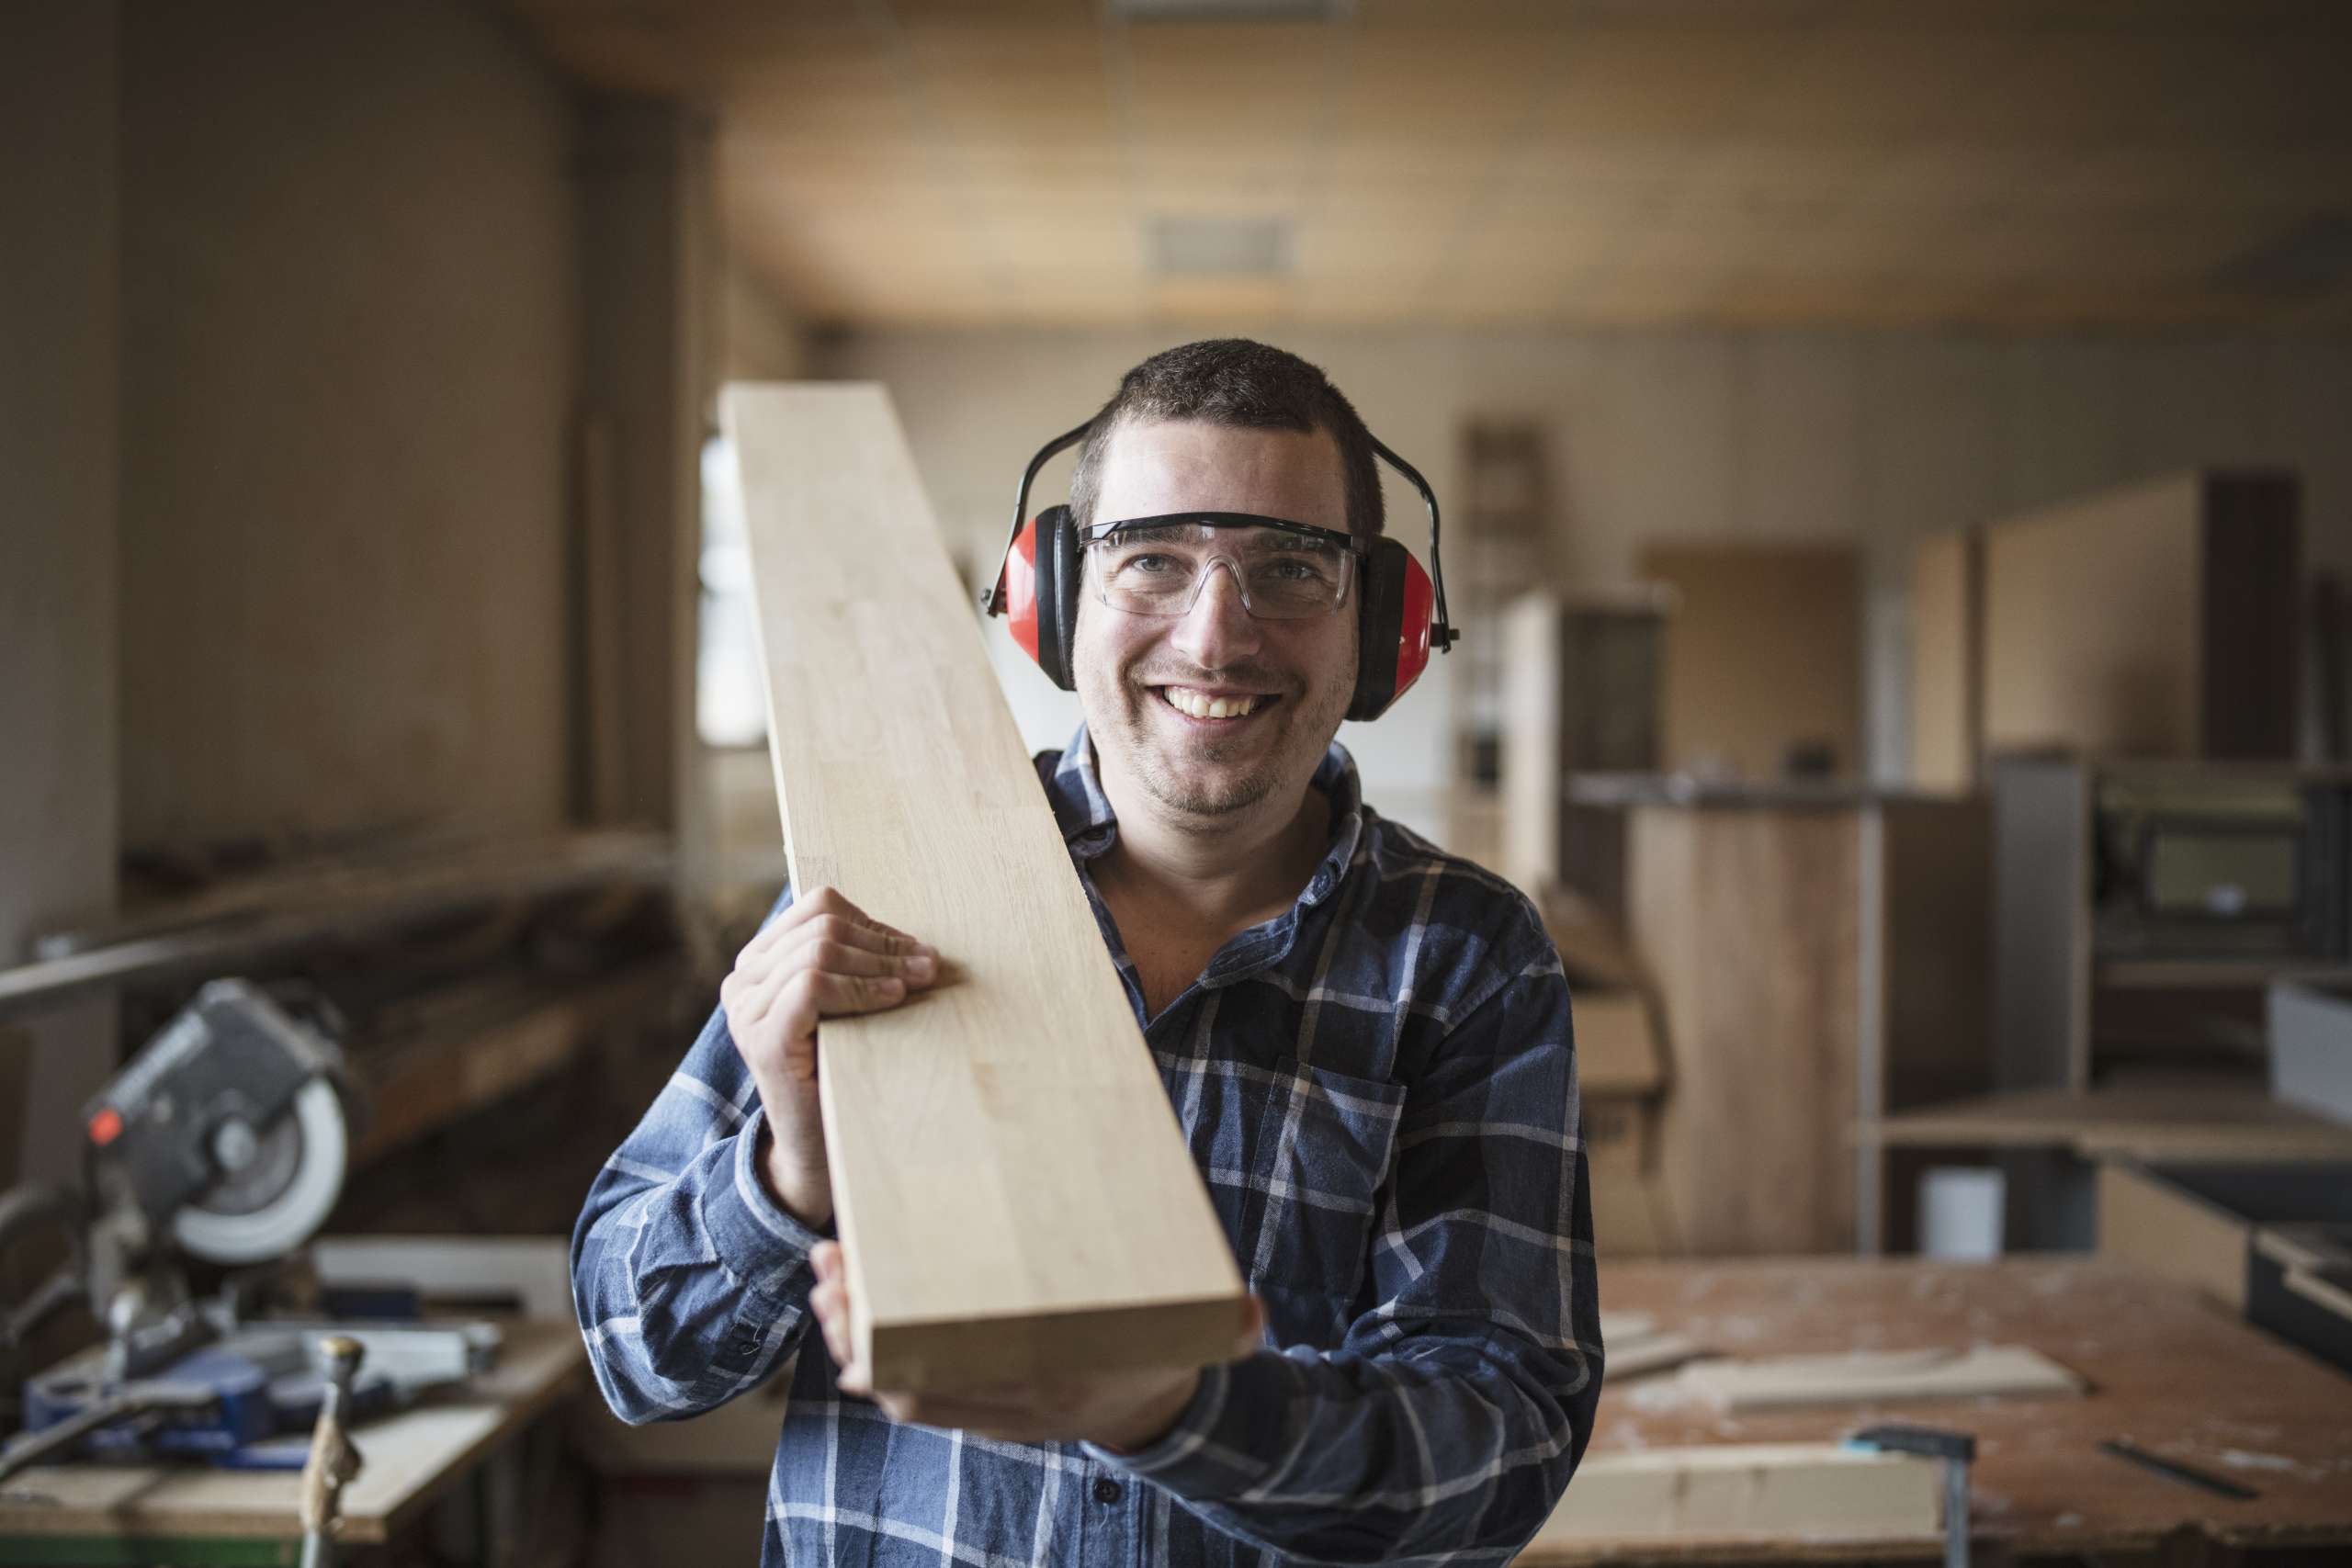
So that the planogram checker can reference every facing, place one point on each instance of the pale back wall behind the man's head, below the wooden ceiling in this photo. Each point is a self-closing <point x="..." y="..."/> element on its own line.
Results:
<point x="1655" y="436"/>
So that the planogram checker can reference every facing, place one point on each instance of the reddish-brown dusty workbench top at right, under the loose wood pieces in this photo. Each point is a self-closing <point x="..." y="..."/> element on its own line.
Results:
<point x="2167" y="1372"/>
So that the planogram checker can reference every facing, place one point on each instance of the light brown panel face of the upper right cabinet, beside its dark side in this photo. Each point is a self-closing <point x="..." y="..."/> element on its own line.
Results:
<point x="2094" y="624"/>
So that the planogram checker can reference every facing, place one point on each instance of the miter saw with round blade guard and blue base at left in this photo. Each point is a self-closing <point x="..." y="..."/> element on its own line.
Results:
<point x="225" y="1141"/>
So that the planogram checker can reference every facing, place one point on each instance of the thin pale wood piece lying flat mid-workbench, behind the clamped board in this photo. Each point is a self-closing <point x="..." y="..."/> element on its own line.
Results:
<point x="1876" y="1376"/>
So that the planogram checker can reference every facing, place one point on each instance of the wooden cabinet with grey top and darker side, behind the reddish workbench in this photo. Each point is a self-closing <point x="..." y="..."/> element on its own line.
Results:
<point x="1817" y="960"/>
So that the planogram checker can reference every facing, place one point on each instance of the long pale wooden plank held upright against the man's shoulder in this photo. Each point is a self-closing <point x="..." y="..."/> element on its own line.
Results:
<point x="1013" y="1188"/>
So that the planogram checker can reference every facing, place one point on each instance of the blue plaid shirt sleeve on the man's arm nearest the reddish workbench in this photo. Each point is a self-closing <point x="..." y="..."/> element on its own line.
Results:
<point x="1448" y="1423"/>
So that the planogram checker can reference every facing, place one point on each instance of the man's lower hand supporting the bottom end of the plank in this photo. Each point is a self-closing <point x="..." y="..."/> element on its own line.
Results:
<point x="1121" y="1412"/>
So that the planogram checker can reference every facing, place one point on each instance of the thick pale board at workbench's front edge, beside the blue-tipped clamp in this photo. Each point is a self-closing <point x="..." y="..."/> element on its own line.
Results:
<point x="1742" y="1494"/>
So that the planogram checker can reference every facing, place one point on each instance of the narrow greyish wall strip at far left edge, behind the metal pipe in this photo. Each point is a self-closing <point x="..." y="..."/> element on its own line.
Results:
<point x="58" y="544"/>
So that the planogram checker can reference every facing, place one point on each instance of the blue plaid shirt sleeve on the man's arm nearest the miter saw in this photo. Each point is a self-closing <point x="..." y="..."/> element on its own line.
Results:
<point x="688" y="1278"/>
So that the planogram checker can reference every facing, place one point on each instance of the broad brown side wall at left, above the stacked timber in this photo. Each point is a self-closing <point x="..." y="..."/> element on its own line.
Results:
<point x="349" y="319"/>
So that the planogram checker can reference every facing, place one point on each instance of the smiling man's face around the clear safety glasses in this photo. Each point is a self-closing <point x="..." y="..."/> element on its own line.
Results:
<point x="1297" y="671"/>
